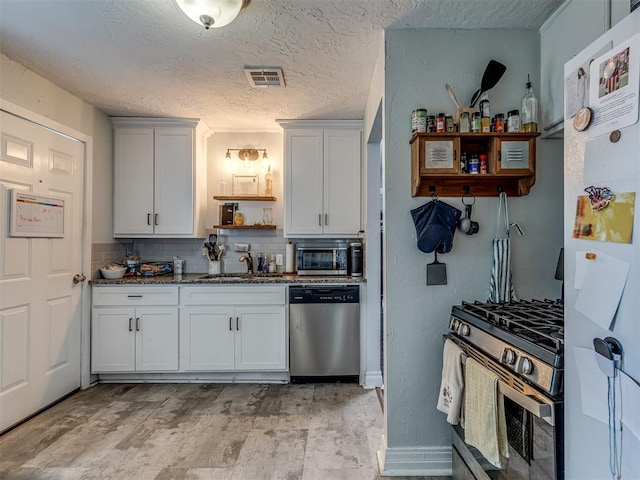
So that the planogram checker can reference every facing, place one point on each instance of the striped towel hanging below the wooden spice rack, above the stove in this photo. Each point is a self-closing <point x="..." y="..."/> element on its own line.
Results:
<point x="501" y="288"/>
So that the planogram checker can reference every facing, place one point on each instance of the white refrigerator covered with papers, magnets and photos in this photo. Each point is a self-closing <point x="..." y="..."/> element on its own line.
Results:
<point x="602" y="257"/>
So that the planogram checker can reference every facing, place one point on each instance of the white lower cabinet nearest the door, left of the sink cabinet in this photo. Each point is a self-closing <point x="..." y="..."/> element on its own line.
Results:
<point x="134" y="329"/>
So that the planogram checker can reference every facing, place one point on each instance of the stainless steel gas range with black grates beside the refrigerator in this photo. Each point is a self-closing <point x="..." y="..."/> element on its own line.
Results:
<point x="523" y="343"/>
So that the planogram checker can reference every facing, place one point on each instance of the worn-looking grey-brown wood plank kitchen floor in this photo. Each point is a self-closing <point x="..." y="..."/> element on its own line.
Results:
<point x="201" y="432"/>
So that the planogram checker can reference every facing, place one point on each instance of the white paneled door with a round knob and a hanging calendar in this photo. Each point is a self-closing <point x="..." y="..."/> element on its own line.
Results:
<point x="40" y="306"/>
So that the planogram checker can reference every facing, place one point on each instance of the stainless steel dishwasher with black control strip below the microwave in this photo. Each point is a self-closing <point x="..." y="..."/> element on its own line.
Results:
<point x="324" y="333"/>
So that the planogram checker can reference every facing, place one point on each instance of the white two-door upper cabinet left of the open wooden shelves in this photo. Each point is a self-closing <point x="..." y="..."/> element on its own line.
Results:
<point x="156" y="192"/>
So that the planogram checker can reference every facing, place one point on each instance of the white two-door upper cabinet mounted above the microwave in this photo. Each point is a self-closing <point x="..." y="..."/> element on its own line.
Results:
<point x="322" y="178"/>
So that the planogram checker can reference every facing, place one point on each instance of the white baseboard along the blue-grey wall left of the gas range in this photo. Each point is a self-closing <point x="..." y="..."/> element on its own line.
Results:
<point x="414" y="461"/>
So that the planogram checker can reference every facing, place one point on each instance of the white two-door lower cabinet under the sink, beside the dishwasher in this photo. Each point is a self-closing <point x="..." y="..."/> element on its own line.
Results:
<point x="233" y="328"/>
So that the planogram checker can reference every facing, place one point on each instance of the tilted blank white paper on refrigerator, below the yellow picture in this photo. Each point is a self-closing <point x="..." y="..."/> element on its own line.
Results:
<point x="602" y="287"/>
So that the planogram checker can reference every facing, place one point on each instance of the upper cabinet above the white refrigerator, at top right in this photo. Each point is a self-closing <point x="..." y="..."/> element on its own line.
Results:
<point x="569" y="30"/>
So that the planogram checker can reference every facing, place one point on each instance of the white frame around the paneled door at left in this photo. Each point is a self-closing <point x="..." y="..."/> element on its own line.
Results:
<point x="85" y="297"/>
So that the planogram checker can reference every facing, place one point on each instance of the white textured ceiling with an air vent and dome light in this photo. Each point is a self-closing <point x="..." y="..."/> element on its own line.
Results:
<point x="144" y="57"/>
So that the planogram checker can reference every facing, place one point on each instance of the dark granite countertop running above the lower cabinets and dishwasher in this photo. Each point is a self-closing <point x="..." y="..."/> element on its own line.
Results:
<point x="227" y="278"/>
